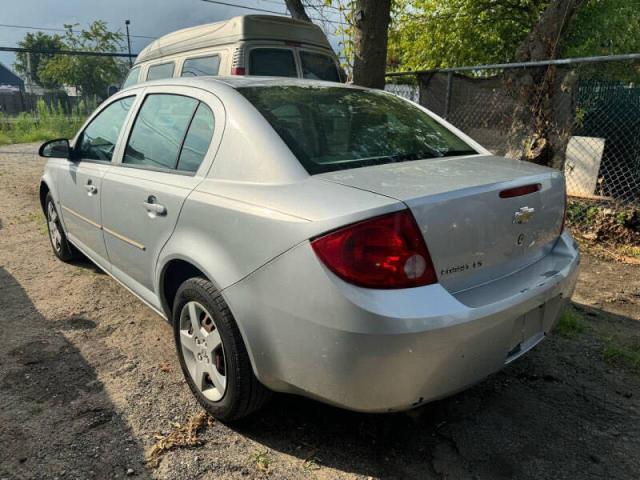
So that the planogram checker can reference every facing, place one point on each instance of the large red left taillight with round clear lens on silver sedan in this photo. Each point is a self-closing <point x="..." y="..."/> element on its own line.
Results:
<point x="383" y="252"/>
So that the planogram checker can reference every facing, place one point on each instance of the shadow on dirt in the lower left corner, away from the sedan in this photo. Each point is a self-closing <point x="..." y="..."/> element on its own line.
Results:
<point x="52" y="401"/>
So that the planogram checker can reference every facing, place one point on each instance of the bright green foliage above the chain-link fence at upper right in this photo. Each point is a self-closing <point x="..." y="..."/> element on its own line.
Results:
<point x="444" y="33"/>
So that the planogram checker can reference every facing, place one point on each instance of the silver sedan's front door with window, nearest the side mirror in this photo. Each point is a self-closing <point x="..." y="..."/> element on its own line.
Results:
<point x="80" y="181"/>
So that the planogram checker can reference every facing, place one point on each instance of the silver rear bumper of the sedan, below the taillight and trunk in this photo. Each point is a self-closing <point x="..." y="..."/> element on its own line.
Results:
<point x="307" y="332"/>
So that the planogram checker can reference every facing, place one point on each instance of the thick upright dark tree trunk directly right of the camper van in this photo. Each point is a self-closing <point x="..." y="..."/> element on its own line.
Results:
<point x="370" y="34"/>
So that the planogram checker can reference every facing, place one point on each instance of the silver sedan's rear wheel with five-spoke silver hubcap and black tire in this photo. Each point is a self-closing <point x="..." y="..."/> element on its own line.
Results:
<point x="212" y="354"/>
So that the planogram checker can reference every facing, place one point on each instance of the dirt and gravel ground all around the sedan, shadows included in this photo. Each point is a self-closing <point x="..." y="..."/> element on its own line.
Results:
<point x="89" y="381"/>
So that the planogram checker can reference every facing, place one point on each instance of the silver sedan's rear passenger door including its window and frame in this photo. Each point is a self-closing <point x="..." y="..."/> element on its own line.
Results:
<point x="168" y="151"/>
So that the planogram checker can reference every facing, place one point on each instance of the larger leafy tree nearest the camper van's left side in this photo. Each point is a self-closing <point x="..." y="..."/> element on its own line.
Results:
<point x="92" y="75"/>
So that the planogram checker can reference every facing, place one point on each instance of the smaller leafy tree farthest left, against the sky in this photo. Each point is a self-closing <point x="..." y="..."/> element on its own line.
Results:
<point x="30" y="64"/>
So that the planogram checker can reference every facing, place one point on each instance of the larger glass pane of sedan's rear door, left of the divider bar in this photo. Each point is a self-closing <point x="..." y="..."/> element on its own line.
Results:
<point x="159" y="129"/>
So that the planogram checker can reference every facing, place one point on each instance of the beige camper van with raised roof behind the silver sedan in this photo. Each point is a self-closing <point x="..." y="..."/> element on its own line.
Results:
<point x="244" y="45"/>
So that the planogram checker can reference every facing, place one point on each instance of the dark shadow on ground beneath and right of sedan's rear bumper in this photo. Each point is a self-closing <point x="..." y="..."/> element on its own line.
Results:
<point x="559" y="412"/>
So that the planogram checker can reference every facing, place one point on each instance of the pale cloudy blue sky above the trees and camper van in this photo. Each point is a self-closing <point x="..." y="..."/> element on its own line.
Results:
<point x="152" y="18"/>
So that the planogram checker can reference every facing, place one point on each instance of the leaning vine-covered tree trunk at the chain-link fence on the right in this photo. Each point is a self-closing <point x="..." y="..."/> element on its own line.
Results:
<point x="544" y="95"/>
